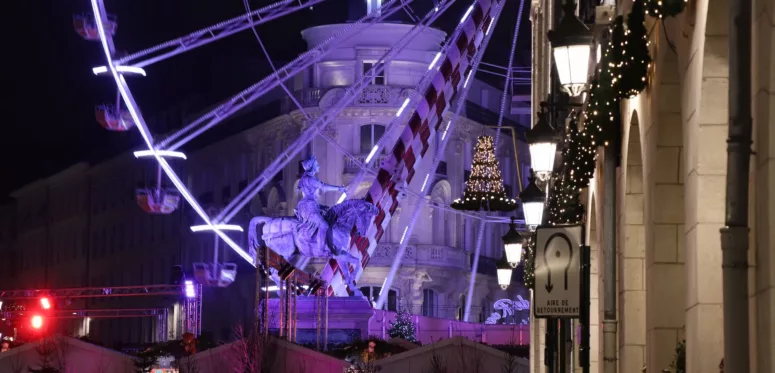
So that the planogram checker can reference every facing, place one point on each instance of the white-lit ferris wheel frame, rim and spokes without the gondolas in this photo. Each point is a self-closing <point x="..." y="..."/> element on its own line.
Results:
<point x="242" y="99"/>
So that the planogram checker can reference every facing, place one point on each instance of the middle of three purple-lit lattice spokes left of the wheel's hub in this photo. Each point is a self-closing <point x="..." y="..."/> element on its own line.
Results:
<point x="250" y="94"/>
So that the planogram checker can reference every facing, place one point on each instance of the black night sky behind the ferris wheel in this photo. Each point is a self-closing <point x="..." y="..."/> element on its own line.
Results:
<point x="51" y="91"/>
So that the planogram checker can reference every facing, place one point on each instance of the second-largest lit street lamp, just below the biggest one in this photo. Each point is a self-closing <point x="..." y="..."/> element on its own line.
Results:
<point x="542" y="140"/>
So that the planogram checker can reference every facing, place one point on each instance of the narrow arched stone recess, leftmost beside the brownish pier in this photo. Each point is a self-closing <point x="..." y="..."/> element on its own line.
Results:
<point x="631" y="251"/>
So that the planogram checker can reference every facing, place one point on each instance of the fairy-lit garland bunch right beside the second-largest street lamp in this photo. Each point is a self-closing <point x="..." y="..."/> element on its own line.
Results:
<point x="578" y="154"/>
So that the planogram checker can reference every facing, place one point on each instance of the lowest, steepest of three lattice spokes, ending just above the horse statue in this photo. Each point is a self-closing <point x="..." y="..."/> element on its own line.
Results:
<point x="350" y="94"/>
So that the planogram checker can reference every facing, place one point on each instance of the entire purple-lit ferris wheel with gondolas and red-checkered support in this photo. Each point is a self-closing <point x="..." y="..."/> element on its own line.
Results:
<point x="420" y="118"/>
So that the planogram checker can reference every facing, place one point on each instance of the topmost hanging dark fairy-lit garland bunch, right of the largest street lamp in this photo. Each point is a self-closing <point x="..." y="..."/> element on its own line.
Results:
<point x="635" y="53"/>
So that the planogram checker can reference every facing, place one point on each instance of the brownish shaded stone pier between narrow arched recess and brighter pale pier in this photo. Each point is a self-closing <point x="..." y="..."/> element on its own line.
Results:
<point x="664" y="147"/>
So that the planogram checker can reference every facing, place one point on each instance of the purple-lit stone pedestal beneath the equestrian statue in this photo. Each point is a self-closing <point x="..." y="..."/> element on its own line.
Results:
<point x="348" y="318"/>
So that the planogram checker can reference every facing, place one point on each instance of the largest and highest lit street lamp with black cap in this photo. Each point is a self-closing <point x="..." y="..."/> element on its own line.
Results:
<point x="571" y="46"/>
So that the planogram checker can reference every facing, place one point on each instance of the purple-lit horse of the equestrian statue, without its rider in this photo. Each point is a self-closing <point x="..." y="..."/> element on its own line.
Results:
<point x="281" y="235"/>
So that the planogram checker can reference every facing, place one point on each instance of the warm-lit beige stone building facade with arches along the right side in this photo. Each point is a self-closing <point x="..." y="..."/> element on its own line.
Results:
<point x="670" y="196"/>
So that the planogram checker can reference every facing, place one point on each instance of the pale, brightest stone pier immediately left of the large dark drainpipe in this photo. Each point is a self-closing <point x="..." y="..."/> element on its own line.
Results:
<point x="704" y="112"/>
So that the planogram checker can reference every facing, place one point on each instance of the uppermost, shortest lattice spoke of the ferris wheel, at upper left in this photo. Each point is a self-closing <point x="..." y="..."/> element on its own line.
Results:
<point x="216" y="32"/>
